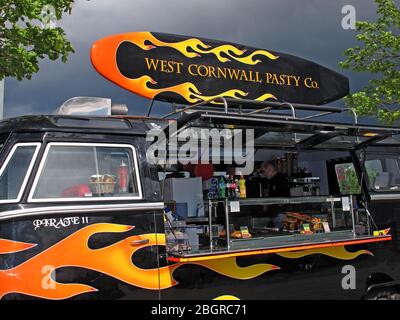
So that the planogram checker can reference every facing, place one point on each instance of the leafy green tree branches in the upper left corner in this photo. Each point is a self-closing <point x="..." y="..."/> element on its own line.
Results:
<point x="24" y="39"/>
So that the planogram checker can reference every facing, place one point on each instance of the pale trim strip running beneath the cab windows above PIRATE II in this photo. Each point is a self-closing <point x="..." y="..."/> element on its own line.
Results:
<point x="79" y="208"/>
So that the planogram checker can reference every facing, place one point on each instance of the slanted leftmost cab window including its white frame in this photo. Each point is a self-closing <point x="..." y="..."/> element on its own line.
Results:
<point x="15" y="171"/>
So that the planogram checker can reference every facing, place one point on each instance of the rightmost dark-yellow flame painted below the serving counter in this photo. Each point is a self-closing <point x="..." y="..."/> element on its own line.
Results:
<point x="339" y="252"/>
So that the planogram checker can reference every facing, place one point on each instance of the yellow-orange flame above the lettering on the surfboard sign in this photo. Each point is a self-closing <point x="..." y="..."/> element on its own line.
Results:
<point x="199" y="47"/>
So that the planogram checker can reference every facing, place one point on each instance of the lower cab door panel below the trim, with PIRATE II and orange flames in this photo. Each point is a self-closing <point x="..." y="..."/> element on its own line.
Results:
<point x="85" y="255"/>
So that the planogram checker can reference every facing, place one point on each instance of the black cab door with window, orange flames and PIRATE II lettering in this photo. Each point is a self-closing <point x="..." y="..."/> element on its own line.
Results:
<point x="86" y="231"/>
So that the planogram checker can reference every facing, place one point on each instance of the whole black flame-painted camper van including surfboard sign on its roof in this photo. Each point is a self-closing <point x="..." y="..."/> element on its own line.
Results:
<point x="222" y="198"/>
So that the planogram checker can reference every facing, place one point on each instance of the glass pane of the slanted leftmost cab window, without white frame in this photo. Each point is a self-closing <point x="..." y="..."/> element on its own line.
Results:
<point x="15" y="171"/>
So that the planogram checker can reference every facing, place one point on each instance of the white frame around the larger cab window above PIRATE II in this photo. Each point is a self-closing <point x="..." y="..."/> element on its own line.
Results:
<point x="111" y="145"/>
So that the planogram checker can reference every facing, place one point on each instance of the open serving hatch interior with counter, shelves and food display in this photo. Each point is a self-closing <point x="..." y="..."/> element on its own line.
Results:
<point x="320" y="207"/>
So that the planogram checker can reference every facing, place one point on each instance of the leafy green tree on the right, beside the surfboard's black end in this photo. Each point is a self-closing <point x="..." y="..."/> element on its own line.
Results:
<point x="379" y="55"/>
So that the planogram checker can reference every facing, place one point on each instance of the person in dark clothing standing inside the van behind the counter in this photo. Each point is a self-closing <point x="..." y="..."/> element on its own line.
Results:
<point x="277" y="186"/>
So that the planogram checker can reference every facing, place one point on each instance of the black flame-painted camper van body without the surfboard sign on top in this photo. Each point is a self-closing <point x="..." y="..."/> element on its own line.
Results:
<point x="85" y="215"/>
